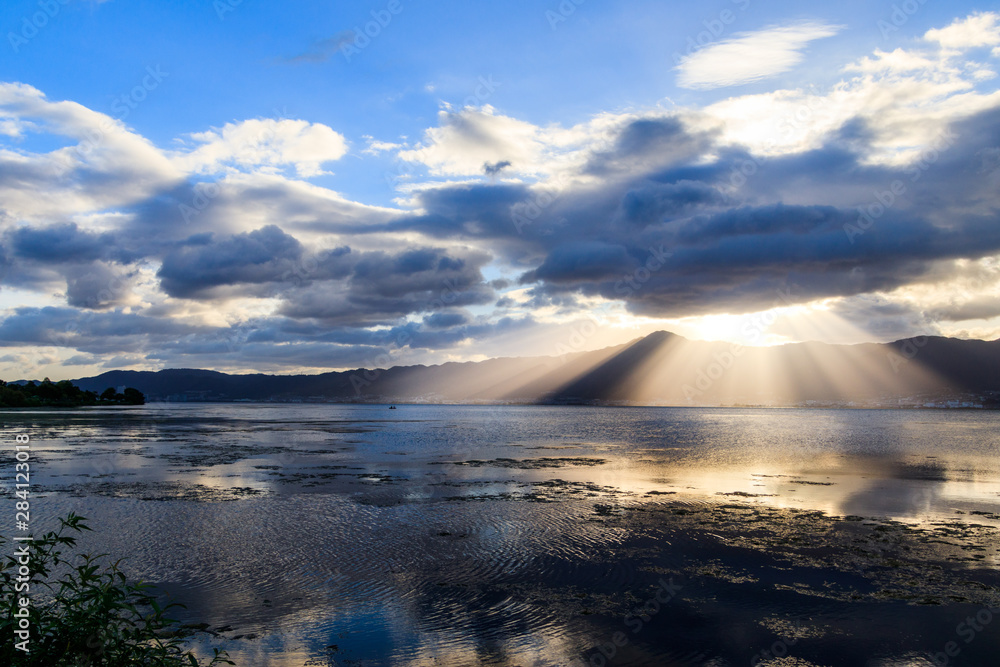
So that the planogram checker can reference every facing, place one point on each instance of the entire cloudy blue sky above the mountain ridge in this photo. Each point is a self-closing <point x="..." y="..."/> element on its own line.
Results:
<point x="305" y="186"/>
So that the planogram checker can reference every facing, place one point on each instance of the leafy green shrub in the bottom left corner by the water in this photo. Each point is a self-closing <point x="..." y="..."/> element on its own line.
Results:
<point x="92" y="616"/>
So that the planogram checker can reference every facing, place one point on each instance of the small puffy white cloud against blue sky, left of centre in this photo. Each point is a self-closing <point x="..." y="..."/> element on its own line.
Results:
<point x="266" y="145"/>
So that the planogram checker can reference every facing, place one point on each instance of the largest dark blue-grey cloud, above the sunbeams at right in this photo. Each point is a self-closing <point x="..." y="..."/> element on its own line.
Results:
<point x="730" y="227"/>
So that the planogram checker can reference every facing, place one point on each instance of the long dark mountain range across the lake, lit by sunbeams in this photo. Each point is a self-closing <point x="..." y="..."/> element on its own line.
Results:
<point x="661" y="368"/>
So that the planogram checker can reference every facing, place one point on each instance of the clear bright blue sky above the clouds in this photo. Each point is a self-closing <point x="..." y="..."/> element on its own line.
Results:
<point x="229" y="63"/>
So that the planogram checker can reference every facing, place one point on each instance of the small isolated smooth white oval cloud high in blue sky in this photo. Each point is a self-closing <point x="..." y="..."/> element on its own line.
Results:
<point x="750" y="56"/>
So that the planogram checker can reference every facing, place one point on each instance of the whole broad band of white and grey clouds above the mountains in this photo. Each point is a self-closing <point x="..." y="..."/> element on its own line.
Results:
<point x="650" y="214"/>
